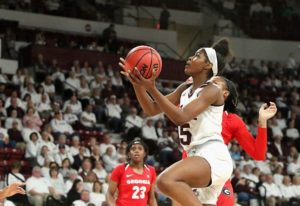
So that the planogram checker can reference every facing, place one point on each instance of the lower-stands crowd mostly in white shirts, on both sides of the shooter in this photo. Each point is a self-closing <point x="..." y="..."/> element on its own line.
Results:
<point x="46" y="122"/>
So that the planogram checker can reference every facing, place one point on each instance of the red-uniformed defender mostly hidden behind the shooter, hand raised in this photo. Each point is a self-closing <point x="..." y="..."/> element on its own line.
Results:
<point x="233" y="127"/>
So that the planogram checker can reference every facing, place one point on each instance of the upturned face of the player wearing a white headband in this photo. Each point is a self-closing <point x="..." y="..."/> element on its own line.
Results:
<point x="196" y="63"/>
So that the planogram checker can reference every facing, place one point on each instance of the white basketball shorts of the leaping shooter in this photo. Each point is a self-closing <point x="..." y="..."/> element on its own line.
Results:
<point x="217" y="155"/>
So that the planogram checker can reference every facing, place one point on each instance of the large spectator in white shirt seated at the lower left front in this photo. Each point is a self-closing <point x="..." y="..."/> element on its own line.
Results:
<point x="38" y="188"/>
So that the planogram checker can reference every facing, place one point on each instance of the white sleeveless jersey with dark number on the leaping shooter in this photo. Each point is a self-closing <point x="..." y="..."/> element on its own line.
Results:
<point x="205" y="127"/>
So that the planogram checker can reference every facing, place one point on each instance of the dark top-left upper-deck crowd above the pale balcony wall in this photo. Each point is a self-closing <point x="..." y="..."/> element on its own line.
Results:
<point x="100" y="10"/>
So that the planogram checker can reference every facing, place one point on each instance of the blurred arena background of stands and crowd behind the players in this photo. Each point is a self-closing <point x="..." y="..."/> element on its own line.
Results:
<point x="59" y="67"/>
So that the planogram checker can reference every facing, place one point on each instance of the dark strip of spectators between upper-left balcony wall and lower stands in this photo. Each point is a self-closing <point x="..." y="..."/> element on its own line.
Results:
<point x="106" y="42"/>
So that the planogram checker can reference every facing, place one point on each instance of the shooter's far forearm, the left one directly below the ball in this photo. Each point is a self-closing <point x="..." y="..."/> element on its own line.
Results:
<point x="147" y="104"/>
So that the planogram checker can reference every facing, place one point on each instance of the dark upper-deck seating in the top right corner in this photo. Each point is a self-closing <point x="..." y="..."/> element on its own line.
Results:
<point x="262" y="18"/>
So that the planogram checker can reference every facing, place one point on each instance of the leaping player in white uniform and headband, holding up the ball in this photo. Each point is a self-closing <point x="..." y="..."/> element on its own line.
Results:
<point x="199" y="117"/>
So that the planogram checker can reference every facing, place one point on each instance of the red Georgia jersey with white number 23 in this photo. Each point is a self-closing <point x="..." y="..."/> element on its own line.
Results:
<point x="133" y="188"/>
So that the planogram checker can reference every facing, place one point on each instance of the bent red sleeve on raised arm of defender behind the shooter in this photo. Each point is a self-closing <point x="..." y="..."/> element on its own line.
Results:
<point x="255" y="147"/>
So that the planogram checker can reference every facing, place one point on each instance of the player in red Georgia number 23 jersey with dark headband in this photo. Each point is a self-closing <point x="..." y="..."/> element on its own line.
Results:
<point x="134" y="181"/>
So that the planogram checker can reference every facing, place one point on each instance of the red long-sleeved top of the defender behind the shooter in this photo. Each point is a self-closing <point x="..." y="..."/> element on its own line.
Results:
<point x="233" y="127"/>
